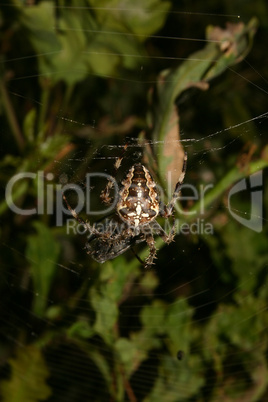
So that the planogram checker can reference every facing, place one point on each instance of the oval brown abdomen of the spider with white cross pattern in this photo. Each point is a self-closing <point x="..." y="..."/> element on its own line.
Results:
<point x="138" y="203"/>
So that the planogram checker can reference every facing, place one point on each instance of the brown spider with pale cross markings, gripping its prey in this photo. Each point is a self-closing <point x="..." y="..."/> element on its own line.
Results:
<point x="137" y="208"/>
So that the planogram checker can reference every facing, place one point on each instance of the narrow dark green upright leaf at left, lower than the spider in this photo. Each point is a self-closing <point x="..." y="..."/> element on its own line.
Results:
<point x="42" y="252"/>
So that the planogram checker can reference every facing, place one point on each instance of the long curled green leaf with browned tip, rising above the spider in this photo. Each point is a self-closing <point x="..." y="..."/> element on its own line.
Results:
<point x="197" y="70"/>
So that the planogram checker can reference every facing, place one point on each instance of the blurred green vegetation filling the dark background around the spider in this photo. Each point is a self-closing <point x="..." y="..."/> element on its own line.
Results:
<point x="77" y="77"/>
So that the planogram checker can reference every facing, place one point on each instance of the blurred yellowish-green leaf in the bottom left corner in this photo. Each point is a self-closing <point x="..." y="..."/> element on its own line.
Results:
<point x="28" y="377"/>
